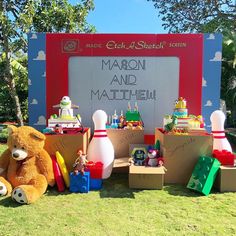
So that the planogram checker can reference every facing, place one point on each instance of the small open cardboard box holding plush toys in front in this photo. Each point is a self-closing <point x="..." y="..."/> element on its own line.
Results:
<point x="141" y="177"/>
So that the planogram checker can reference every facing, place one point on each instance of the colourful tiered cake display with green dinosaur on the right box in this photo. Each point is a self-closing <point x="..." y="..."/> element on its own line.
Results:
<point x="180" y="122"/>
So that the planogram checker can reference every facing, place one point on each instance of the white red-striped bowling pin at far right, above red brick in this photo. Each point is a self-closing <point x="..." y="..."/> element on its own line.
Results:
<point x="220" y="142"/>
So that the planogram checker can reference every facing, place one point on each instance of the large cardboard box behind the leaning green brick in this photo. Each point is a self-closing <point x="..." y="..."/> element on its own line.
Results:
<point x="181" y="153"/>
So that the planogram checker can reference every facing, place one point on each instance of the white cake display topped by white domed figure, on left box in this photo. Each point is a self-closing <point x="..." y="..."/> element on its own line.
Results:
<point x="65" y="122"/>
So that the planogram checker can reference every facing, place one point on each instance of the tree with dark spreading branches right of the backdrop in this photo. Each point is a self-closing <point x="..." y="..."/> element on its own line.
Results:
<point x="207" y="16"/>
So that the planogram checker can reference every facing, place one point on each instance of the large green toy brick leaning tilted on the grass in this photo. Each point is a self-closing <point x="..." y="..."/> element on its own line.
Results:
<point x="204" y="175"/>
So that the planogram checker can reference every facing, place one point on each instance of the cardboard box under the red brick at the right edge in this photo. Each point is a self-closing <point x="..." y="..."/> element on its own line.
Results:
<point x="226" y="179"/>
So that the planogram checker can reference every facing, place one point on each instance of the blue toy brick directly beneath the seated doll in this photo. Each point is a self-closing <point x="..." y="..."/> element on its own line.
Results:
<point x="79" y="183"/>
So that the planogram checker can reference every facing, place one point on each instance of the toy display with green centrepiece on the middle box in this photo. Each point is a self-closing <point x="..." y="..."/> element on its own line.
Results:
<point x="131" y="120"/>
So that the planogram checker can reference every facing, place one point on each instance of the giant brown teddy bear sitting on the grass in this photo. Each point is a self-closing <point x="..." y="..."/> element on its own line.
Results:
<point x="25" y="166"/>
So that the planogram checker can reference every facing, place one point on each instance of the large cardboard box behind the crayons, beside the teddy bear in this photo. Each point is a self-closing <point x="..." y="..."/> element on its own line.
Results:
<point x="68" y="145"/>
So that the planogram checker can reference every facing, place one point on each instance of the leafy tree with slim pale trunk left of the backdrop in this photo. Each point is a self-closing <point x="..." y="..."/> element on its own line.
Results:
<point x="18" y="17"/>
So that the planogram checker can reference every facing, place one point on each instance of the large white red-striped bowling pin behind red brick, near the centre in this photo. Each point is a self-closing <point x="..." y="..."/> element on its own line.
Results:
<point x="100" y="148"/>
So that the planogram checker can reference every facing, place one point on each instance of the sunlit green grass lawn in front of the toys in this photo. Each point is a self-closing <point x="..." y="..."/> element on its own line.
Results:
<point x="118" y="210"/>
